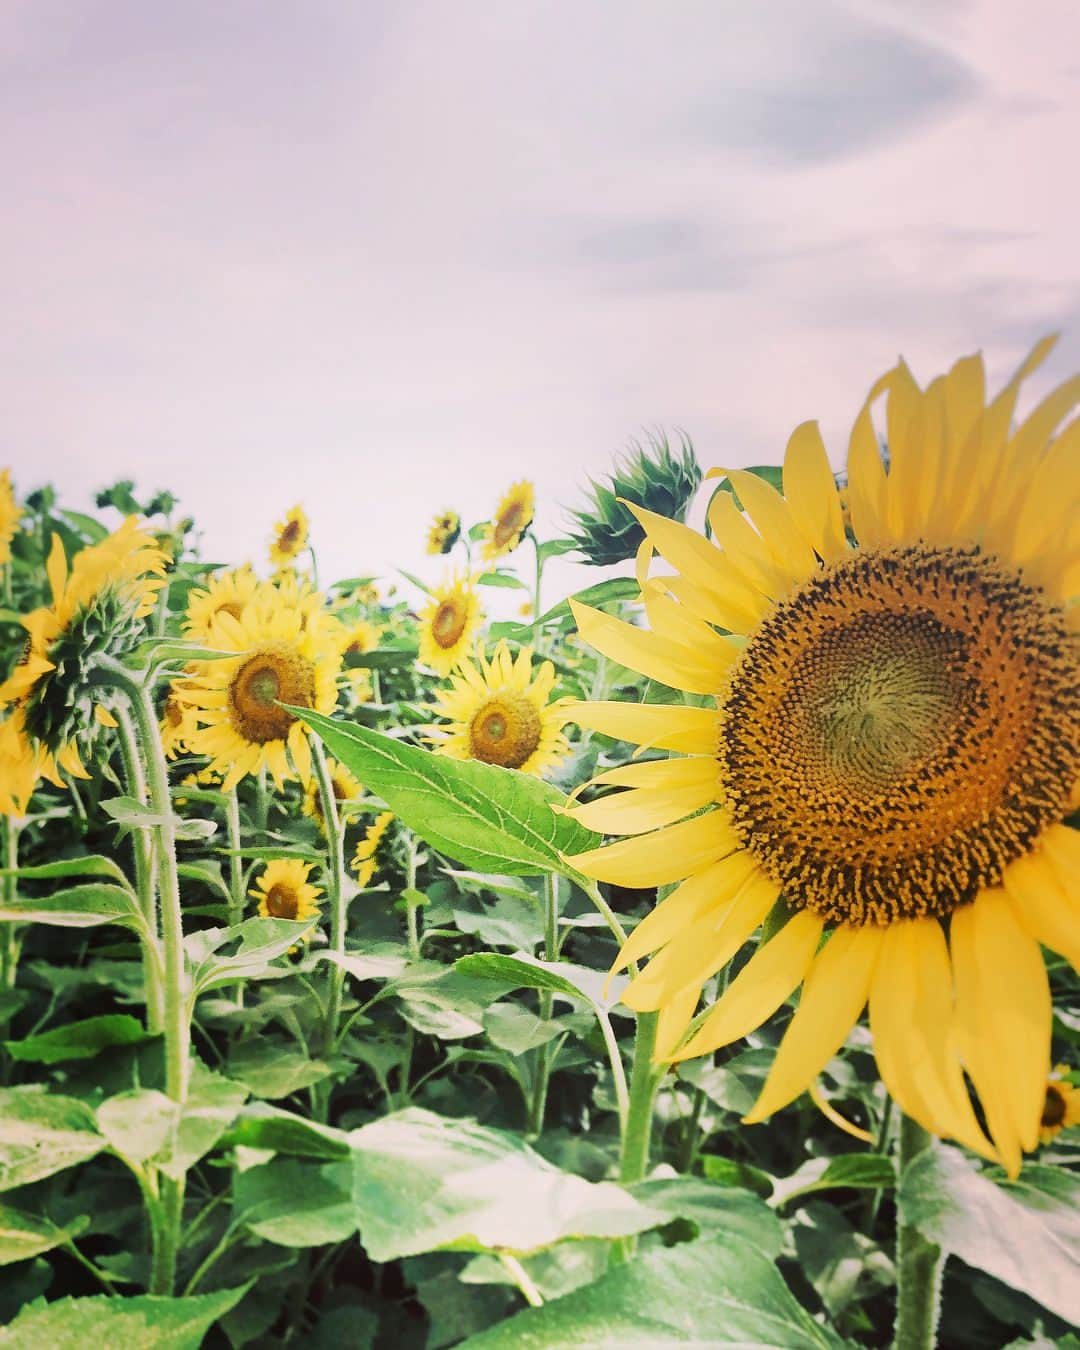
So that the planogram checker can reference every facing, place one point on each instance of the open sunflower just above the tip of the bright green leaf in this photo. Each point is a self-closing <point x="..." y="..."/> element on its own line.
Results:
<point x="281" y="659"/>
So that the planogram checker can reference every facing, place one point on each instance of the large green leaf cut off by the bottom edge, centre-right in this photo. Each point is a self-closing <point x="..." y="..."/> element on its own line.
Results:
<point x="715" y="1293"/>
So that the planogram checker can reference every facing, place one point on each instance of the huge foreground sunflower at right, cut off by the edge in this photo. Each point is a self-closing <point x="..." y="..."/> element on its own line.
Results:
<point x="890" y="745"/>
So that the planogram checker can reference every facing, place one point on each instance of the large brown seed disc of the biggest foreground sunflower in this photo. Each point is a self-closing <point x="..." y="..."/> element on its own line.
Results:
<point x="900" y="731"/>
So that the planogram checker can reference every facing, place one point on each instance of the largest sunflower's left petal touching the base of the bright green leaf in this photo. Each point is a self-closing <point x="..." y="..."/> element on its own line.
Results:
<point x="665" y="857"/>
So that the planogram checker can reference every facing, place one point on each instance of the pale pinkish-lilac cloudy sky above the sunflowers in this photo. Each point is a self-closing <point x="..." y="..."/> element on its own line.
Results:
<point x="387" y="259"/>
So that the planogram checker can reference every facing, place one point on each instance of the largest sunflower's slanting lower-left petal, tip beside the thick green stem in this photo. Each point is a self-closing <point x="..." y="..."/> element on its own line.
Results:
<point x="761" y="988"/>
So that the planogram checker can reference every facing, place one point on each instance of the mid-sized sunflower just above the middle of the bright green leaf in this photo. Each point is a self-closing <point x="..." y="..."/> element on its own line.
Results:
<point x="502" y="713"/>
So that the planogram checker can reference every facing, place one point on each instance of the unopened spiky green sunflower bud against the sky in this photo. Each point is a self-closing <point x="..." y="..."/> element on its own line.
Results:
<point x="650" y="476"/>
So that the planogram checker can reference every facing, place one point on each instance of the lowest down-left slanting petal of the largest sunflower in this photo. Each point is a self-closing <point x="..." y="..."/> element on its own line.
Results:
<point x="834" y="997"/>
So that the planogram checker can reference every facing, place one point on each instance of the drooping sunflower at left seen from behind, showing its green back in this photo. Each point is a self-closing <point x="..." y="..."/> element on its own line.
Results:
<point x="57" y="686"/>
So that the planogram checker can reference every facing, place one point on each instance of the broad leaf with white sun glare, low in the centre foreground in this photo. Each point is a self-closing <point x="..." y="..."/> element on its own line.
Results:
<point x="423" y="1182"/>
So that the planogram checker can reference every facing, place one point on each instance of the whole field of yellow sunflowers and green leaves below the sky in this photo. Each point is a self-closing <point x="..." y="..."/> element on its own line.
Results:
<point x="685" y="962"/>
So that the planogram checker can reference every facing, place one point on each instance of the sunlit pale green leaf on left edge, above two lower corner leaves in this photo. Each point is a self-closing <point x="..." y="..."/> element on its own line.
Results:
<point x="41" y="1135"/>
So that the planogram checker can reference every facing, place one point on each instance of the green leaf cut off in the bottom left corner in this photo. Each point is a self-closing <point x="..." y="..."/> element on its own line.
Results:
<point x="141" y="1324"/>
